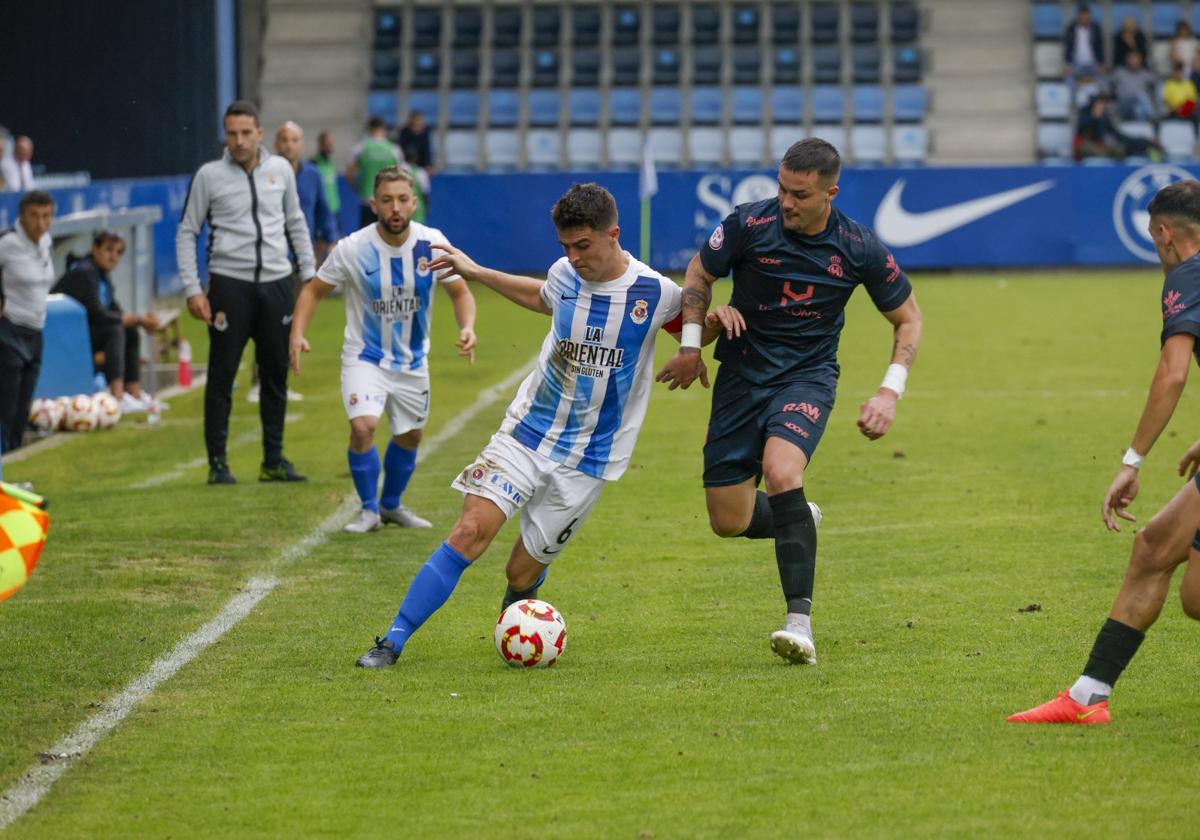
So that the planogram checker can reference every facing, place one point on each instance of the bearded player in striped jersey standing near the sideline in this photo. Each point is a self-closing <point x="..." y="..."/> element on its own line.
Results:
<point x="387" y="275"/>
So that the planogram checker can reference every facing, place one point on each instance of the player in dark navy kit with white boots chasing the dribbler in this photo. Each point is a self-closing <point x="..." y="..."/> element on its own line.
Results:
<point x="795" y="261"/>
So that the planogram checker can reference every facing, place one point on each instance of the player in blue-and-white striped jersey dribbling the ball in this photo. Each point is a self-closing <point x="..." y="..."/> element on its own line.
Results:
<point x="574" y="423"/>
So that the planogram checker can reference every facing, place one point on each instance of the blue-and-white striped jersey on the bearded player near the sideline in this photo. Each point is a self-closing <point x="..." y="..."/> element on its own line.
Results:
<point x="389" y="296"/>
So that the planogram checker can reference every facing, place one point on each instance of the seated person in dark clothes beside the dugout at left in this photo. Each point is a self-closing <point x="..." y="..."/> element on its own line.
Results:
<point x="115" y="333"/>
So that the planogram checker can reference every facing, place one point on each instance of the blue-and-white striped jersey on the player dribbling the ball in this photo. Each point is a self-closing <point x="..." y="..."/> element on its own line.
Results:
<point x="585" y="401"/>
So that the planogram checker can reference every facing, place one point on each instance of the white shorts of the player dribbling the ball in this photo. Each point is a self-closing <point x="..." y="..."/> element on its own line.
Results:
<point x="555" y="501"/>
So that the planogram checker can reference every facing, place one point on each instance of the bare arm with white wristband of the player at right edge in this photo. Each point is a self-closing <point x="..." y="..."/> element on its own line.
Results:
<point x="1166" y="389"/>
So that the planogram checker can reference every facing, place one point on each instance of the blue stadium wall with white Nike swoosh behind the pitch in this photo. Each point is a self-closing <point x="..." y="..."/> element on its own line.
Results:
<point x="931" y="218"/>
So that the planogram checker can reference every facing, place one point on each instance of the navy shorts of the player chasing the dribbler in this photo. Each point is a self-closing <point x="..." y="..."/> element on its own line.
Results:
<point x="746" y="415"/>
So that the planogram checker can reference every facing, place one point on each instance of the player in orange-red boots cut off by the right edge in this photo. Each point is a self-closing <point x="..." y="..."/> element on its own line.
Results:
<point x="1171" y="538"/>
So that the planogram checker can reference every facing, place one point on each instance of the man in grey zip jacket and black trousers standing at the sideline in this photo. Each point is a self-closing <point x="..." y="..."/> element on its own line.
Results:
<point x="249" y="199"/>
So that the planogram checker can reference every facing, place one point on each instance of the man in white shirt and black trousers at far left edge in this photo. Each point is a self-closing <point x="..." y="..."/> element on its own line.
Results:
<point x="27" y="275"/>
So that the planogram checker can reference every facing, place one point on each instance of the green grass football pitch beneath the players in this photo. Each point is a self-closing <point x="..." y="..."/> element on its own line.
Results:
<point x="668" y="717"/>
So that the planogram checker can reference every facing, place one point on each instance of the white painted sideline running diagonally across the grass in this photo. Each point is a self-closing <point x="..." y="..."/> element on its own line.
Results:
<point x="40" y="778"/>
